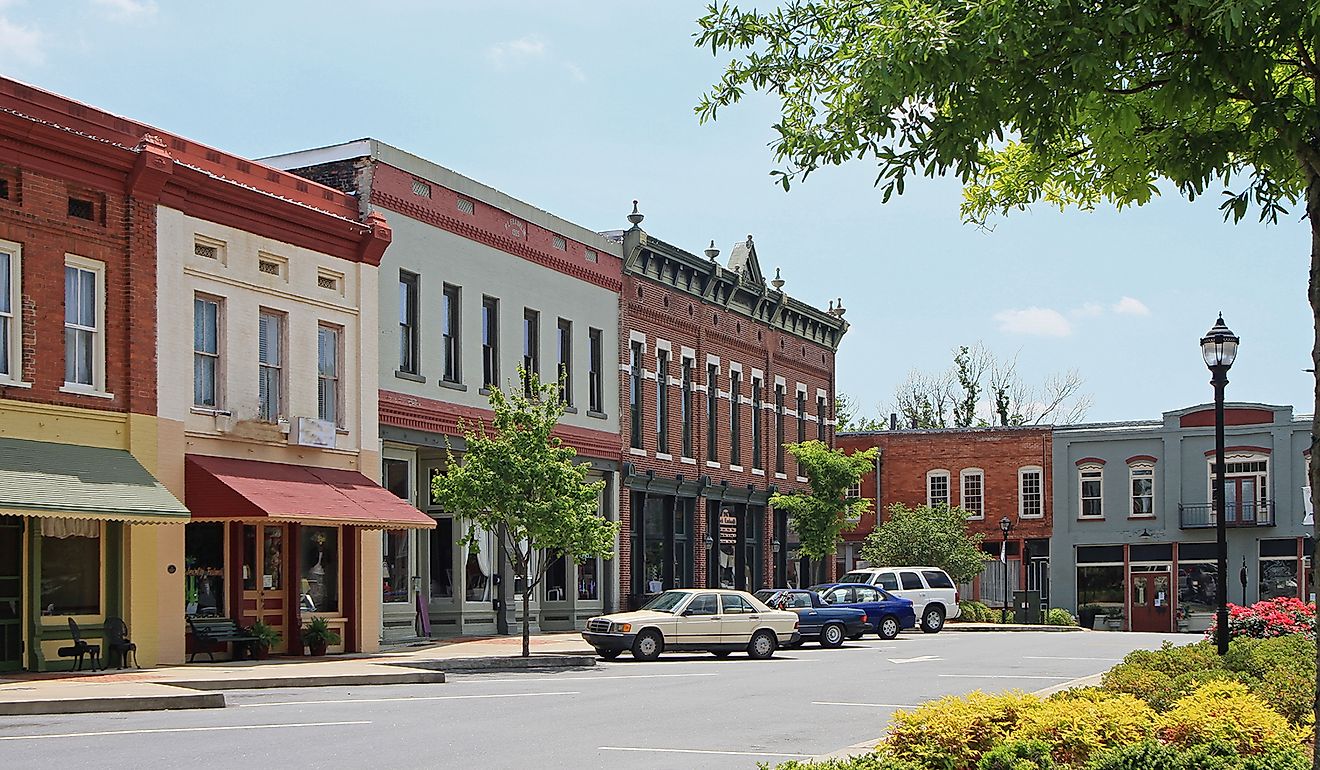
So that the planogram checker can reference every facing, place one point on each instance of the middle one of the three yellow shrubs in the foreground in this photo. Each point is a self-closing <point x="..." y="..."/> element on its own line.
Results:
<point x="1083" y="723"/>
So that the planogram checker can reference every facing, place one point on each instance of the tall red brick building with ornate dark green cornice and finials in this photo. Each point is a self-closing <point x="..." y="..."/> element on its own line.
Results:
<point x="719" y="370"/>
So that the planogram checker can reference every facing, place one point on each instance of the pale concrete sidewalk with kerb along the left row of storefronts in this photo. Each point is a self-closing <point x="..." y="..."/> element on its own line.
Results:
<point x="196" y="685"/>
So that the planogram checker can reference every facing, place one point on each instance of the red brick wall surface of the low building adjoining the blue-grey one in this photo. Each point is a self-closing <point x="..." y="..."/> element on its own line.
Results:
<point x="1000" y="455"/>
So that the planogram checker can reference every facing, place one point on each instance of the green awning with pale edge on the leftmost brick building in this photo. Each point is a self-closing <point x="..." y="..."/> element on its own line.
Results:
<point x="40" y="479"/>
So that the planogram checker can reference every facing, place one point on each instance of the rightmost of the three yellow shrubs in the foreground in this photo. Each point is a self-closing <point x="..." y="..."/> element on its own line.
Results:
<point x="1227" y="713"/>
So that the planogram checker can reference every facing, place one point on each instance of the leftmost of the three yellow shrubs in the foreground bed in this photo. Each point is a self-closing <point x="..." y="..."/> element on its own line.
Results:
<point x="955" y="732"/>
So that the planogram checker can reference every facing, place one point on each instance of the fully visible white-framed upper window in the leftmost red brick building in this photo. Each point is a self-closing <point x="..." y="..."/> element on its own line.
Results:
<point x="85" y="319"/>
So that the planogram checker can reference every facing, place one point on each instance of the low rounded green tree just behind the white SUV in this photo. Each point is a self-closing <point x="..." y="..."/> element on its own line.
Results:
<point x="927" y="537"/>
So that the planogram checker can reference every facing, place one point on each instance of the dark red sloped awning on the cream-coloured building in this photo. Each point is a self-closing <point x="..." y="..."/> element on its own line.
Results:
<point x="221" y="488"/>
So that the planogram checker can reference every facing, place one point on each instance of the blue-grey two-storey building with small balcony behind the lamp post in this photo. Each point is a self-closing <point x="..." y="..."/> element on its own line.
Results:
<point x="1135" y="520"/>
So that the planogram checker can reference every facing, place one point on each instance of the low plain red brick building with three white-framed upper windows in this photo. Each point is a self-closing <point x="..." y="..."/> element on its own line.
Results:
<point x="995" y="473"/>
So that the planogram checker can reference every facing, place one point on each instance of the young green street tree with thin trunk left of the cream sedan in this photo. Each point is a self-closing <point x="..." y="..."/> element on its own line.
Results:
<point x="521" y="483"/>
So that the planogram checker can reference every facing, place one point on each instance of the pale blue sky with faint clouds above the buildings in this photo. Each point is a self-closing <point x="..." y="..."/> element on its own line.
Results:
<point x="581" y="106"/>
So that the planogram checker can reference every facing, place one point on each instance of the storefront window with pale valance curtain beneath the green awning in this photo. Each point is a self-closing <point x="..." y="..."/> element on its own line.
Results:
<point x="71" y="567"/>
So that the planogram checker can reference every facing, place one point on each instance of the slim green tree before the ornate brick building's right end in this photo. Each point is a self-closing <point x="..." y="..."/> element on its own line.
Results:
<point x="827" y="510"/>
